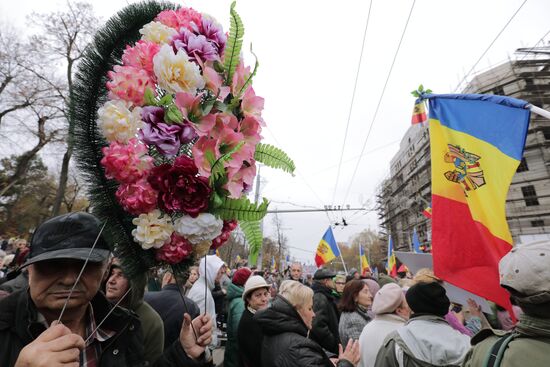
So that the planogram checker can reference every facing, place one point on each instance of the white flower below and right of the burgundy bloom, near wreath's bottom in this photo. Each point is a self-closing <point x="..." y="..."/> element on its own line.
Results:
<point x="196" y="230"/>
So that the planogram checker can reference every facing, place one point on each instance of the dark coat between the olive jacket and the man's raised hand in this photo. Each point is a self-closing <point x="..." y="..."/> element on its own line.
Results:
<point x="169" y="305"/>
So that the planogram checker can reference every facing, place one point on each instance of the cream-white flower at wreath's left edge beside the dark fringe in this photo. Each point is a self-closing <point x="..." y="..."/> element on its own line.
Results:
<point x="118" y="122"/>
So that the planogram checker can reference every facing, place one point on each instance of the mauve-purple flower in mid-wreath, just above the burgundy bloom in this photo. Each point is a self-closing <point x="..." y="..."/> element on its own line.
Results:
<point x="165" y="137"/>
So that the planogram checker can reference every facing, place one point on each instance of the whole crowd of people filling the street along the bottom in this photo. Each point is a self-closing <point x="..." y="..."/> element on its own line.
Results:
<point x="255" y="318"/>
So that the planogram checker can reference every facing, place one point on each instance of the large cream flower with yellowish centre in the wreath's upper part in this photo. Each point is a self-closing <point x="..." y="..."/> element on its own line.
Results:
<point x="175" y="73"/>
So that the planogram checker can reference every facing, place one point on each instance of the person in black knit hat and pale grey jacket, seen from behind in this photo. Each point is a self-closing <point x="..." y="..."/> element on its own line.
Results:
<point x="426" y="339"/>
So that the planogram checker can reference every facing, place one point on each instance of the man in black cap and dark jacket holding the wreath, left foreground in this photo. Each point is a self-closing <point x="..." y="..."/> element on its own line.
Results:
<point x="30" y="334"/>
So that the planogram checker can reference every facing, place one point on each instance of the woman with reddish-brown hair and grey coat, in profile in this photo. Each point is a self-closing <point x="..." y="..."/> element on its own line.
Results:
<point x="354" y="306"/>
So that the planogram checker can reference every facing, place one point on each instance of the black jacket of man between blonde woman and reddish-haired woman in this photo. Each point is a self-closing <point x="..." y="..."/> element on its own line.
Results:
<point x="325" y="324"/>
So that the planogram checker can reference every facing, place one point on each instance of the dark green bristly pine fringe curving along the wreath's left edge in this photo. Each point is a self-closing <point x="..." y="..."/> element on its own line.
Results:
<point x="88" y="95"/>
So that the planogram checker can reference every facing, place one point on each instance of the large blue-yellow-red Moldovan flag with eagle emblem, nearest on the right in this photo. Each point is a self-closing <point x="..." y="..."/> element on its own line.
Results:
<point x="476" y="146"/>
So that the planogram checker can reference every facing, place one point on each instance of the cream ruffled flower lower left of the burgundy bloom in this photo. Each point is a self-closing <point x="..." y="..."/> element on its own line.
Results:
<point x="152" y="229"/>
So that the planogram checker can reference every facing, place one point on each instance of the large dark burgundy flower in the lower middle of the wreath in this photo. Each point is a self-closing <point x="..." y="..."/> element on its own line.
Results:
<point x="180" y="188"/>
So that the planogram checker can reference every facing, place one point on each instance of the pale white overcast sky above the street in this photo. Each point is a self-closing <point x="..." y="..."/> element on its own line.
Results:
<point x="308" y="53"/>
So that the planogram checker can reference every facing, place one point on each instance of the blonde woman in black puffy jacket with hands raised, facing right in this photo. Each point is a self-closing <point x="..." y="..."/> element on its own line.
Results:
<point x="286" y="325"/>
